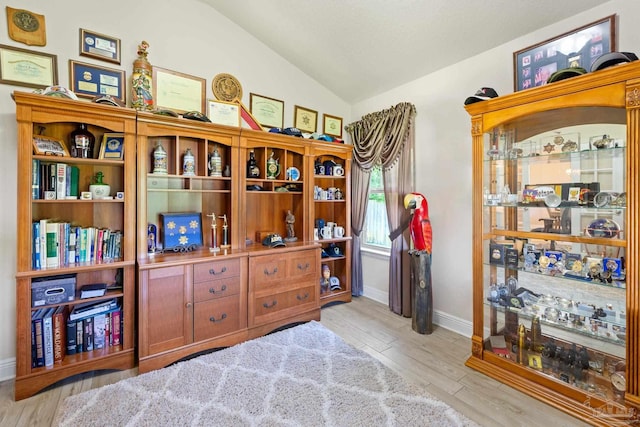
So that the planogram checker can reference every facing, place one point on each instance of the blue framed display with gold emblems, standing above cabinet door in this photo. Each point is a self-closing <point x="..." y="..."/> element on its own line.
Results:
<point x="181" y="232"/>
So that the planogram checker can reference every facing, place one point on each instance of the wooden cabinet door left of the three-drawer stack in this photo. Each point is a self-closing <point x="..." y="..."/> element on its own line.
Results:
<point x="167" y="313"/>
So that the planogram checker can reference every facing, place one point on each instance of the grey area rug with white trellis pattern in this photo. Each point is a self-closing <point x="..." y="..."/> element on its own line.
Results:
<point x="302" y="376"/>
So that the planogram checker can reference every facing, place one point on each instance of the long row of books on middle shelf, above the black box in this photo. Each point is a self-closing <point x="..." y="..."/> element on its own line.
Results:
<point x="60" y="243"/>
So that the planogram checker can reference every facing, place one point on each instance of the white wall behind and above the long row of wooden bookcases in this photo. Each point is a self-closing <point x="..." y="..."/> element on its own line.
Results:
<point x="184" y="36"/>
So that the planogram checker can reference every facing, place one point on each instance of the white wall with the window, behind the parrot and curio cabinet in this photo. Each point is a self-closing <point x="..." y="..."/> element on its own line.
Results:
<point x="443" y="153"/>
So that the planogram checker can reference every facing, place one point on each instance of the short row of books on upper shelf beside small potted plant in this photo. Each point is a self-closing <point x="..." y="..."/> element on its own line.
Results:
<point x="54" y="181"/>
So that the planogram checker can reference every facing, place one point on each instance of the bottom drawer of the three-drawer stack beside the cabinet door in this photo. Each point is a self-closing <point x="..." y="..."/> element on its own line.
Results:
<point x="216" y="317"/>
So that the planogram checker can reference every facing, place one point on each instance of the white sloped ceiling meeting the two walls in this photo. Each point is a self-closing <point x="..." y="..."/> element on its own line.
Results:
<point x="361" y="48"/>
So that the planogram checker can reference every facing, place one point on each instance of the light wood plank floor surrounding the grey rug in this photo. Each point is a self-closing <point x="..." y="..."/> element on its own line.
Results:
<point x="435" y="361"/>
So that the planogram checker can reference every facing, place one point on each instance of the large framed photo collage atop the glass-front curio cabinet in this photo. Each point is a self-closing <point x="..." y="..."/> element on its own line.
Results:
<point x="533" y="65"/>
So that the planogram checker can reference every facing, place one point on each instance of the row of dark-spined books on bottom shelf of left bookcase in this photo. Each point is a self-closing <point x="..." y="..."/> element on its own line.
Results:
<point x="56" y="332"/>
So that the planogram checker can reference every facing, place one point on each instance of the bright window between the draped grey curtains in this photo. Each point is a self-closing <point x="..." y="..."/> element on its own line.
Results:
<point x="376" y="226"/>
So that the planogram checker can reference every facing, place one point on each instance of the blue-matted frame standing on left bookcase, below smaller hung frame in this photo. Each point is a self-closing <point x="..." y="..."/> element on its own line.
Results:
<point x="89" y="81"/>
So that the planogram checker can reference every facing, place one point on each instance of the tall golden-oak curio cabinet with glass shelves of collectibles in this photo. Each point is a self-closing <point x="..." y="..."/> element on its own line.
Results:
<point x="556" y="245"/>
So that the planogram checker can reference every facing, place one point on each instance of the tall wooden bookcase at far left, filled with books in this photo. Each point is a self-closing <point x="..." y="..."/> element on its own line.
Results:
<point x="56" y="212"/>
